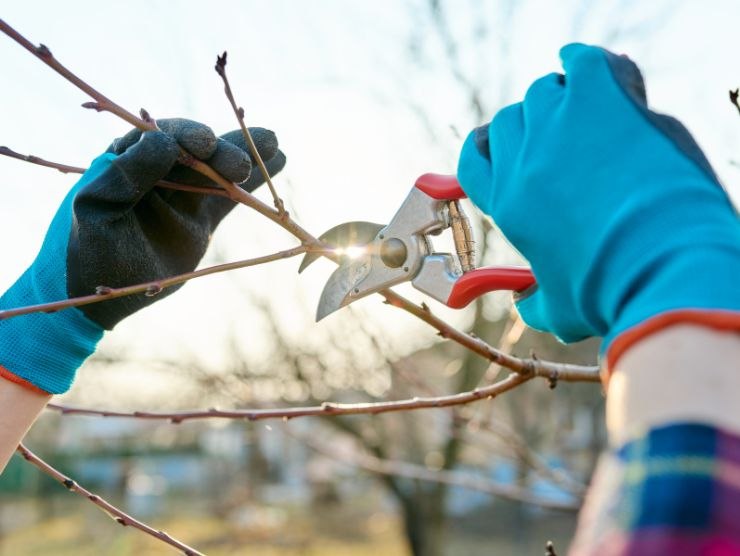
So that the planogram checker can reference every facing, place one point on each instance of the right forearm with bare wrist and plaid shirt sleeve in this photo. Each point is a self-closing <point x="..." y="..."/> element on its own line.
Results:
<point x="667" y="483"/>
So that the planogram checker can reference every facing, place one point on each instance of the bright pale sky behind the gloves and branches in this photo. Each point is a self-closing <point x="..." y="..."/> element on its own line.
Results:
<point x="343" y="88"/>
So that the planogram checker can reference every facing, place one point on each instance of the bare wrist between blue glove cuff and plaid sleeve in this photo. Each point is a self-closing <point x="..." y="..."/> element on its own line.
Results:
<point x="685" y="373"/>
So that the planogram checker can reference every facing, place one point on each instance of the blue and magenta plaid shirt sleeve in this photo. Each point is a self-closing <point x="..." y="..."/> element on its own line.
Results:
<point x="673" y="491"/>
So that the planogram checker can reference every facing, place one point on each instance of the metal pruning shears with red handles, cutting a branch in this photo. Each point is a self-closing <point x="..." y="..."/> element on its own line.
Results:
<point x="374" y="257"/>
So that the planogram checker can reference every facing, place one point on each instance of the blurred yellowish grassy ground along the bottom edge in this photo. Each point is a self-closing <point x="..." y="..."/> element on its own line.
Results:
<point x="74" y="528"/>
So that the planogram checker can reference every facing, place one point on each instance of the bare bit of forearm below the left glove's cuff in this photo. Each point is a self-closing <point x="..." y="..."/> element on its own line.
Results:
<point x="19" y="407"/>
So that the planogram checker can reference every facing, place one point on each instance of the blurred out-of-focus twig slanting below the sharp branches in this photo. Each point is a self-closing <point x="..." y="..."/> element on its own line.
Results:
<point x="420" y="472"/>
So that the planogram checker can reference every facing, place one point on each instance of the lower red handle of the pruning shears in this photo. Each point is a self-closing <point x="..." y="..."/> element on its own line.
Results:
<point x="475" y="283"/>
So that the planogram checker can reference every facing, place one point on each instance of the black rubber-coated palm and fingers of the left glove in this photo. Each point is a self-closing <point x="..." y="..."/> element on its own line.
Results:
<point x="127" y="231"/>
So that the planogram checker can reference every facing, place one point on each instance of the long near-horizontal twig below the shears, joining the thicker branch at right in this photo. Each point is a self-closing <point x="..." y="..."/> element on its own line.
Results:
<point x="323" y="410"/>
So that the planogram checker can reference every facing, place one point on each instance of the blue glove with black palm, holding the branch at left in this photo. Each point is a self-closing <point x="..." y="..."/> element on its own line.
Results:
<point x="115" y="228"/>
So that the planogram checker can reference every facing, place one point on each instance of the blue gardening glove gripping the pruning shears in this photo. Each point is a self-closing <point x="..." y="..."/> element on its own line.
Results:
<point x="615" y="206"/>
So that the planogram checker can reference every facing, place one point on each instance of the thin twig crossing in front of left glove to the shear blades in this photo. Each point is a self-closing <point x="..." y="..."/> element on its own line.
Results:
<point x="152" y="288"/>
